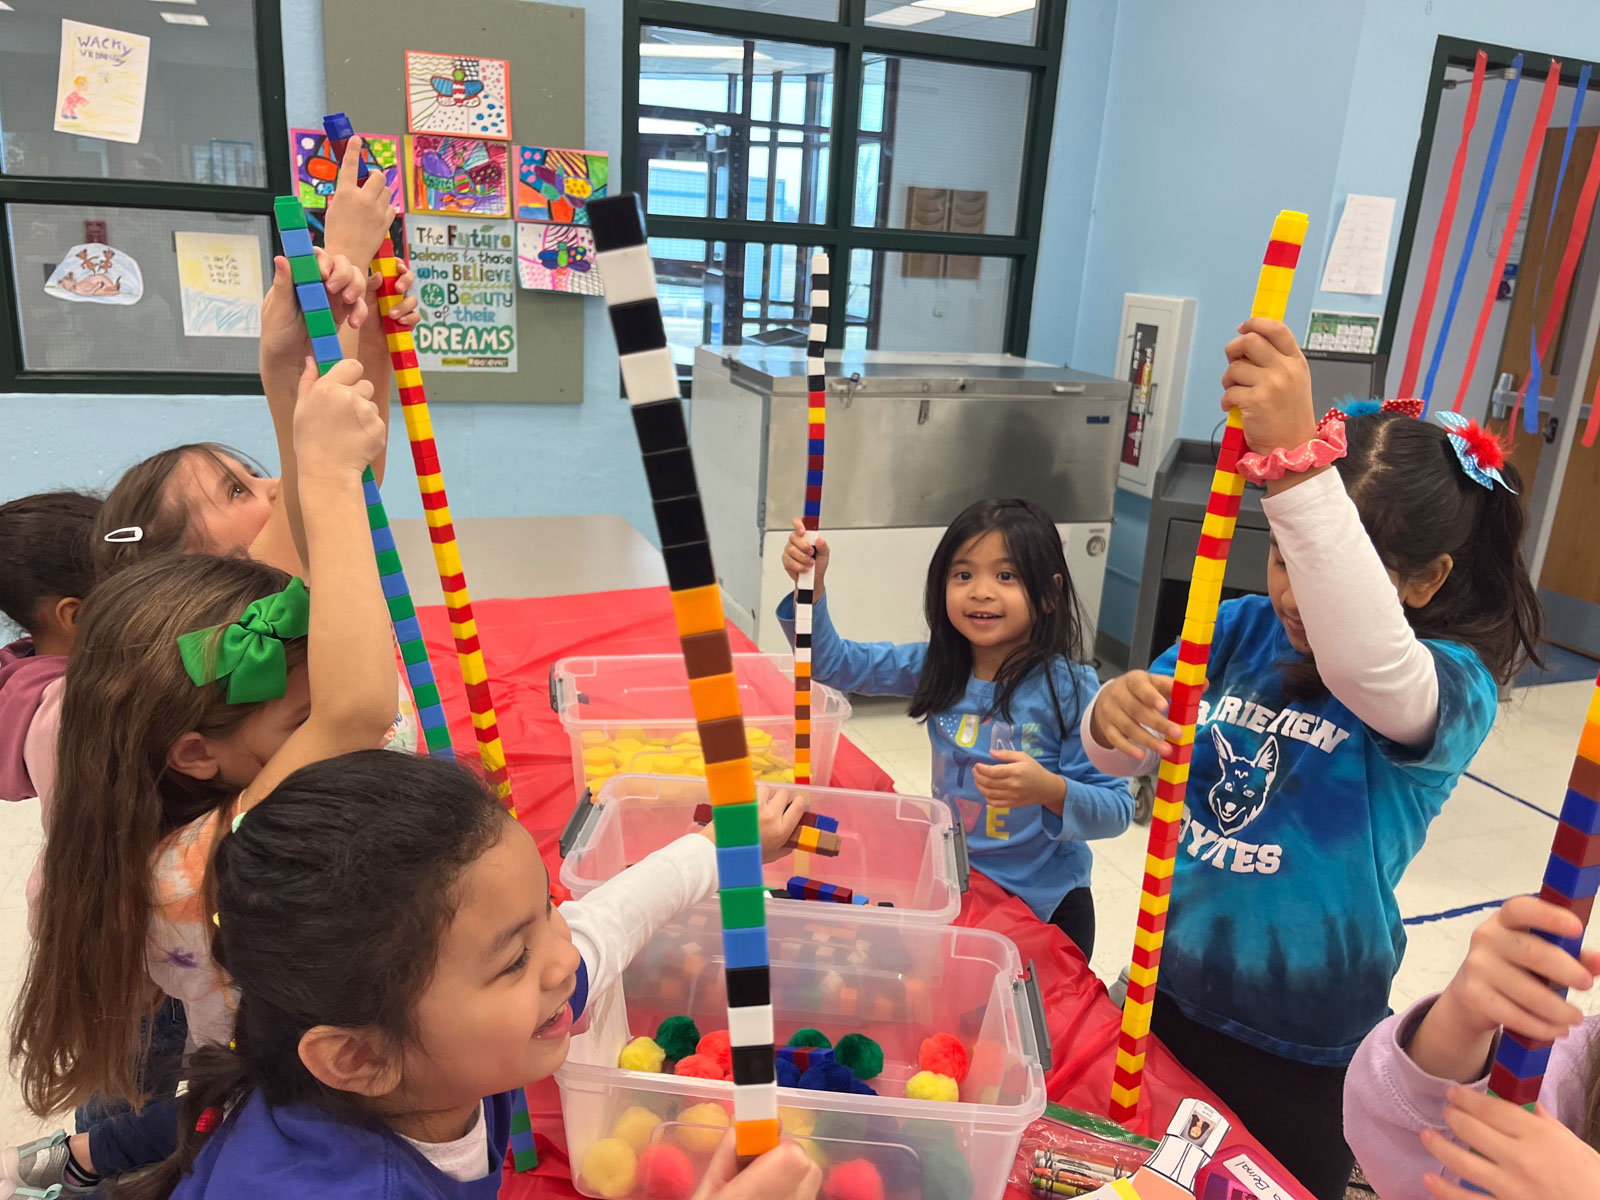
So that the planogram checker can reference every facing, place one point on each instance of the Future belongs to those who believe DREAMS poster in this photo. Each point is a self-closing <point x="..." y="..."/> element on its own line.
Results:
<point x="466" y="286"/>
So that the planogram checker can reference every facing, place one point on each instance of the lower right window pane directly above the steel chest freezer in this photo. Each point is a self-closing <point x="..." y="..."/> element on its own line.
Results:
<point x="929" y="302"/>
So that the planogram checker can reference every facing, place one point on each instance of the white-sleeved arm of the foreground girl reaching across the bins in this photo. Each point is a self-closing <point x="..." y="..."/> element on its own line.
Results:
<point x="614" y="922"/>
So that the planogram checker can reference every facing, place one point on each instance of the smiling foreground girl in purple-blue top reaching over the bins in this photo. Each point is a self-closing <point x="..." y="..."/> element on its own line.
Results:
<point x="401" y="972"/>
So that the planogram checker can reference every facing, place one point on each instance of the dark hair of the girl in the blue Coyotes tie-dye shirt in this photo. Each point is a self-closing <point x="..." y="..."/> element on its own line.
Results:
<point x="1417" y="505"/>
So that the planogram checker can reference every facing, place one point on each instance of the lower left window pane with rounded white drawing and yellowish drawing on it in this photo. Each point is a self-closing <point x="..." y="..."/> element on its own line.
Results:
<point x="81" y="335"/>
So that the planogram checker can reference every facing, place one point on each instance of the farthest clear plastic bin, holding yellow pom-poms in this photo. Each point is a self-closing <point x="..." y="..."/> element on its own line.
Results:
<point x="633" y="713"/>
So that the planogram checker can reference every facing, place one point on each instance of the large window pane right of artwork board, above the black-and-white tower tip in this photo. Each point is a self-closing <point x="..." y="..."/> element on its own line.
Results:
<point x="687" y="122"/>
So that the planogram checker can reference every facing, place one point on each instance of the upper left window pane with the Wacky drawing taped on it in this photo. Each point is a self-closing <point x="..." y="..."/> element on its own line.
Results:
<point x="199" y="116"/>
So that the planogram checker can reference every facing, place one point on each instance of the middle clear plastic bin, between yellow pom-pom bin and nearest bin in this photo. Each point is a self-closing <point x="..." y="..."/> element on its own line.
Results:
<point x="898" y="849"/>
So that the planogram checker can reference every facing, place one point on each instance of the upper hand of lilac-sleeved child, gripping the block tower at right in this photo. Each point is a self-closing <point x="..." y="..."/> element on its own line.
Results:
<point x="1503" y="980"/>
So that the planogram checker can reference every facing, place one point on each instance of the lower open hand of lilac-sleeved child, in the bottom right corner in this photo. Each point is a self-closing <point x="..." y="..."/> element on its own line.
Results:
<point x="1510" y="1153"/>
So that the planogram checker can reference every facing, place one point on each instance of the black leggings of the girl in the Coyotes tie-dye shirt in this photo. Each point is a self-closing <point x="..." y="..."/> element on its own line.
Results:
<point x="1295" y="1110"/>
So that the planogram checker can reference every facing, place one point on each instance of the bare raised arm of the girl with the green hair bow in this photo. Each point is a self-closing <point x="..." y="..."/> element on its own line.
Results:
<point x="351" y="650"/>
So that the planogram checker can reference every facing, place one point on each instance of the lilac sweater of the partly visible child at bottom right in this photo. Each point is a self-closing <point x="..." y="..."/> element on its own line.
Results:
<point x="1390" y="1100"/>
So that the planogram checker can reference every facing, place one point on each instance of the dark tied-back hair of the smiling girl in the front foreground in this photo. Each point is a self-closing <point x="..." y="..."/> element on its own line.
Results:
<point x="332" y="902"/>
